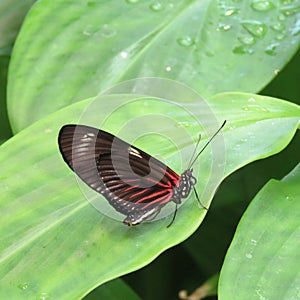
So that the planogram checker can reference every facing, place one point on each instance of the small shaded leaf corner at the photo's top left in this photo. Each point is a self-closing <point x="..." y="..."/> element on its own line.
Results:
<point x="12" y="13"/>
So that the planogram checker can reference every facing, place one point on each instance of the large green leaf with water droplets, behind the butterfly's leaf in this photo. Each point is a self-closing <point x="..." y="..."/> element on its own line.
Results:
<point x="70" y="50"/>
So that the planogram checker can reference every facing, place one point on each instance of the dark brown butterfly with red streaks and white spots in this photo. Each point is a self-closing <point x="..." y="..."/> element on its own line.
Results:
<point x="135" y="184"/>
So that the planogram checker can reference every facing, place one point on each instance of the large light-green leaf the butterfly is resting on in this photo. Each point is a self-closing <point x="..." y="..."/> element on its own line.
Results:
<point x="54" y="242"/>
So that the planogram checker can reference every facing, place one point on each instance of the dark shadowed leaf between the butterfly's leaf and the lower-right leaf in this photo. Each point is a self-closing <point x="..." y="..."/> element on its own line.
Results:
<point x="230" y="202"/>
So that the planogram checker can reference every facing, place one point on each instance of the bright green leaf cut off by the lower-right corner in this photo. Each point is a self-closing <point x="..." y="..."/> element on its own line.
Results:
<point x="262" y="260"/>
